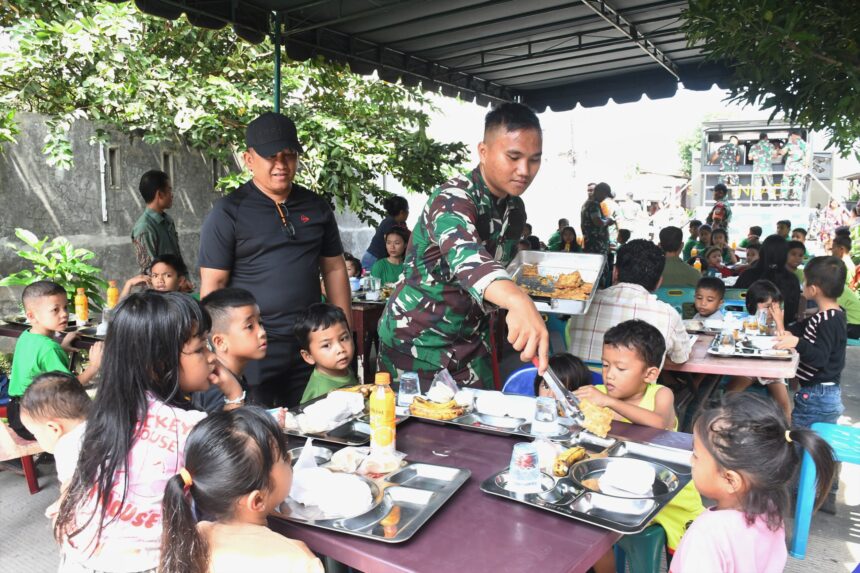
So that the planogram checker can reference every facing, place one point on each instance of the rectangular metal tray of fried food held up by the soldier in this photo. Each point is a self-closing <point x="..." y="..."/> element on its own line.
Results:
<point x="589" y="266"/>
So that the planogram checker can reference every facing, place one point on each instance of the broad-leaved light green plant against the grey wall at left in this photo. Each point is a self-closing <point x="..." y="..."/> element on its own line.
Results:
<point x="58" y="261"/>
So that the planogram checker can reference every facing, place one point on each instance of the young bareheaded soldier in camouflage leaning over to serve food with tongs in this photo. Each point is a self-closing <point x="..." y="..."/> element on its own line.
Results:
<point x="454" y="272"/>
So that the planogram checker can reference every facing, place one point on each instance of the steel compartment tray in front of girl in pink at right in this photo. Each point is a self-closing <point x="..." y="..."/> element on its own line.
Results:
<point x="569" y="498"/>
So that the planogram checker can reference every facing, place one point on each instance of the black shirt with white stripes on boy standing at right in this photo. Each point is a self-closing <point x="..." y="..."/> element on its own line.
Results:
<point x="821" y="347"/>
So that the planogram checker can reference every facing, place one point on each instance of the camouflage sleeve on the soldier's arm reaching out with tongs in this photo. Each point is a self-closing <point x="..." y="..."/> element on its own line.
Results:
<point x="452" y="218"/>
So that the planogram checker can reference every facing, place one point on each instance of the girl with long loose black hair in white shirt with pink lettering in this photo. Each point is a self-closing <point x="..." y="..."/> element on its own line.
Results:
<point x="155" y="353"/>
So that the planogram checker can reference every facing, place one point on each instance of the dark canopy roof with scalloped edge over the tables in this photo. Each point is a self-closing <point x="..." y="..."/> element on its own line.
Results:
<point x="546" y="53"/>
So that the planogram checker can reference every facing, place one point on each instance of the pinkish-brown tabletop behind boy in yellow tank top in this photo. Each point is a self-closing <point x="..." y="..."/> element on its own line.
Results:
<point x="700" y="362"/>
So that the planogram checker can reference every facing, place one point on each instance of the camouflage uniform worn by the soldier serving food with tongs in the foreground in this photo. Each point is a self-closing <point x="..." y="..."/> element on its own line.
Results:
<point x="436" y="317"/>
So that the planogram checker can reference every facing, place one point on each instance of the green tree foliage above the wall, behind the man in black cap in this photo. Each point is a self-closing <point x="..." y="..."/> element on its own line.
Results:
<point x="170" y="82"/>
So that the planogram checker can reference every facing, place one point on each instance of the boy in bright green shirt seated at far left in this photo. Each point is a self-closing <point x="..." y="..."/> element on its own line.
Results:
<point x="37" y="350"/>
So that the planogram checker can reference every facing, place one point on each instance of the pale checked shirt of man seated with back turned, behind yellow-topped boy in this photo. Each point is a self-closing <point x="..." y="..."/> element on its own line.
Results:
<point x="614" y="305"/>
